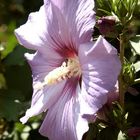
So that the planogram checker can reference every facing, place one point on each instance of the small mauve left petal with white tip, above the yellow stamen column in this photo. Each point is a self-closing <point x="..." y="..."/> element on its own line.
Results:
<point x="42" y="64"/>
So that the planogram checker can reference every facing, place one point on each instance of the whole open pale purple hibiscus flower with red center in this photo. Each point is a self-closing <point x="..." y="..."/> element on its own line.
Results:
<point x="71" y="74"/>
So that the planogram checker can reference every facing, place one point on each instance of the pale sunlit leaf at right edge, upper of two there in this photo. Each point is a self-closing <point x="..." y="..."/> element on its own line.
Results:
<point x="135" y="43"/>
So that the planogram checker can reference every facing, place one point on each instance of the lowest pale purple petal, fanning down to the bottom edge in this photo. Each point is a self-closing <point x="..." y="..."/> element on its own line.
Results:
<point x="63" y="120"/>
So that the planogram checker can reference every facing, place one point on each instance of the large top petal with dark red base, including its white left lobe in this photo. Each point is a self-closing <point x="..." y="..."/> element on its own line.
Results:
<point x="60" y="30"/>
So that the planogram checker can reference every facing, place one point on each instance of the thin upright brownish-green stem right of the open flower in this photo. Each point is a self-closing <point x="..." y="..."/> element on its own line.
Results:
<point x="121" y="83"/>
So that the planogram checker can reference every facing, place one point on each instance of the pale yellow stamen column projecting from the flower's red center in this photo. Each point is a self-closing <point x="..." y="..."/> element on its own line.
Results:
<point x="69" y="68"/>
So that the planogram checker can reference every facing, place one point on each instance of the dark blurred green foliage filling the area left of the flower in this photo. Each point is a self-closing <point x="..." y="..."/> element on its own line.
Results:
<point x="15" y="73"/>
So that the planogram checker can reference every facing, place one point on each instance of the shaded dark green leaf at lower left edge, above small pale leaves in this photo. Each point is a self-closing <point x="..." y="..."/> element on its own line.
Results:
<point x="10" y="104"/>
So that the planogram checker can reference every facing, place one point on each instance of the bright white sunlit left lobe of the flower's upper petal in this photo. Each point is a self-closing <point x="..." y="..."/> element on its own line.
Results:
<point x="32" y="33"/>
